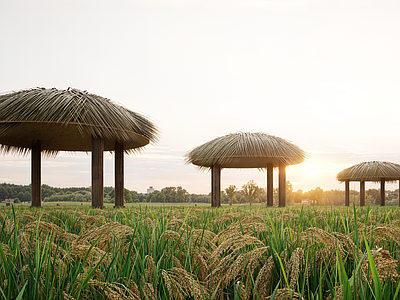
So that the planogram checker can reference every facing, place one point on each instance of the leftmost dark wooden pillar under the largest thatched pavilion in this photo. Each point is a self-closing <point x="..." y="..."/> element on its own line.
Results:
<point x="36" y="177"/>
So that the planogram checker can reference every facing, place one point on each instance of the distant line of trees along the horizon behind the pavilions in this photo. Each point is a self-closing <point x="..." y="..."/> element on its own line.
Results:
<point x="249" y="193"/>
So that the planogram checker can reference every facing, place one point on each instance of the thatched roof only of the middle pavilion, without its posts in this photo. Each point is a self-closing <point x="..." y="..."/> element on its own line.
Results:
<point x="245" y="150"/>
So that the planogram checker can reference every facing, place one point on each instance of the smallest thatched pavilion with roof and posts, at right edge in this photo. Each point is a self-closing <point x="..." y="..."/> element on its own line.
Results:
<point x="377" y="171"/>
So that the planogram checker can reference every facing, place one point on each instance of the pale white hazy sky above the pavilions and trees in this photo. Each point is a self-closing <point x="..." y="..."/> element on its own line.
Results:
<point x="323" y="74"/>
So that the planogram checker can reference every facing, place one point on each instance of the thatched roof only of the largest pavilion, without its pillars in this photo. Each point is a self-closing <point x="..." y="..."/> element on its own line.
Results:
<point x="65" y="120"/>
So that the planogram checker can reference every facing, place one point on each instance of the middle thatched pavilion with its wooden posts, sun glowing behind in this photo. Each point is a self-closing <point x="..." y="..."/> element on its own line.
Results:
<point x="246" y="150"/>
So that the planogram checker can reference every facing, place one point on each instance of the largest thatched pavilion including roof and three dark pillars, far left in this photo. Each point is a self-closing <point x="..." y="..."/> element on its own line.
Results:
<point x="49" y="120"/>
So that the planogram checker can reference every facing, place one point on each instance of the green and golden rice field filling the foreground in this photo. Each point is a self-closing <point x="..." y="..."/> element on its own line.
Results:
<point x="237" y="252"/>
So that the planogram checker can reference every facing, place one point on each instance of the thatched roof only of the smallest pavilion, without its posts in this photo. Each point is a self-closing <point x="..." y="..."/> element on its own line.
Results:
<point x="371" y="171"/>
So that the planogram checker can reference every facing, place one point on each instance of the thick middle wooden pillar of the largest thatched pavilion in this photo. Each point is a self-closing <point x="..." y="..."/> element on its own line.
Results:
<point x="97" y="172"/>
